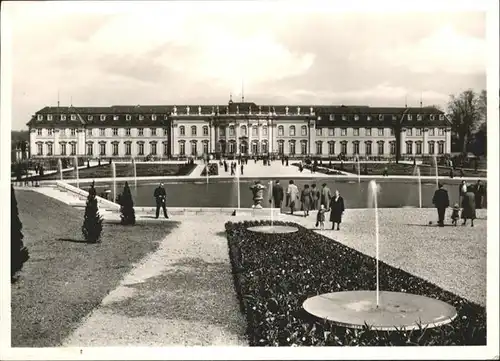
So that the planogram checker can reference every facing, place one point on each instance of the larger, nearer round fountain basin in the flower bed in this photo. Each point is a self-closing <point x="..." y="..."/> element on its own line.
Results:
<point x="353" y="309"/>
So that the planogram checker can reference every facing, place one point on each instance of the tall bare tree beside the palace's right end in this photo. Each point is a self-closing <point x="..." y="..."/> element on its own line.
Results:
<point x="465" y="112"/>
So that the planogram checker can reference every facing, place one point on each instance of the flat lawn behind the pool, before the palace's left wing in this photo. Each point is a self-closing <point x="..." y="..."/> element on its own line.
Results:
<point x="126" y="170"/>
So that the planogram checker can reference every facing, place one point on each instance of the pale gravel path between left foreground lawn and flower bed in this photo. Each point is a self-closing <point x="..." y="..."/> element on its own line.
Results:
<point x="181" y="295"/>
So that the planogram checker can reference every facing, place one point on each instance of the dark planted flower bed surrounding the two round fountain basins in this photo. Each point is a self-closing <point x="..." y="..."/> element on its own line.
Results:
<point x="274" y="274"/>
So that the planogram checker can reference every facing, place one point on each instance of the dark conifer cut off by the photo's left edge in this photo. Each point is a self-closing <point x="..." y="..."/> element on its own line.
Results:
<point x="18" y="253"/>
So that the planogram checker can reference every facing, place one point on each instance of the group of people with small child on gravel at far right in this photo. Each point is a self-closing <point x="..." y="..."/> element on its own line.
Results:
<point x="471" y="197"/>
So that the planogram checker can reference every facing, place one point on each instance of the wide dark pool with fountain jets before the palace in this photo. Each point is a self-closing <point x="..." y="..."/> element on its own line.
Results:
<point x="220" y="193"/>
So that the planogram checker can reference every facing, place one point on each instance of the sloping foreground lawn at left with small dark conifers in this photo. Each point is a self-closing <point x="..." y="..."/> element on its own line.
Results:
<point x="66" y="278"/>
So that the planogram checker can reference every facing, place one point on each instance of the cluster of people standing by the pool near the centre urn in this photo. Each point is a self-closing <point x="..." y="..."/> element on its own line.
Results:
<point x="311" y="198"/>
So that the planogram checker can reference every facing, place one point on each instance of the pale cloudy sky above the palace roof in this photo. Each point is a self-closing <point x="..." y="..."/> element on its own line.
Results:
<point x="198" y="53"/>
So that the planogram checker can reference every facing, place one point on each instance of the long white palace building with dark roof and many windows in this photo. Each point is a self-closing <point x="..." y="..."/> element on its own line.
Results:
<point x="238" y="128"/>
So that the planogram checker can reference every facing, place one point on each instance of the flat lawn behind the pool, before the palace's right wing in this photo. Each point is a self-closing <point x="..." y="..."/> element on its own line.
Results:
<point x="403" y="169"/>
